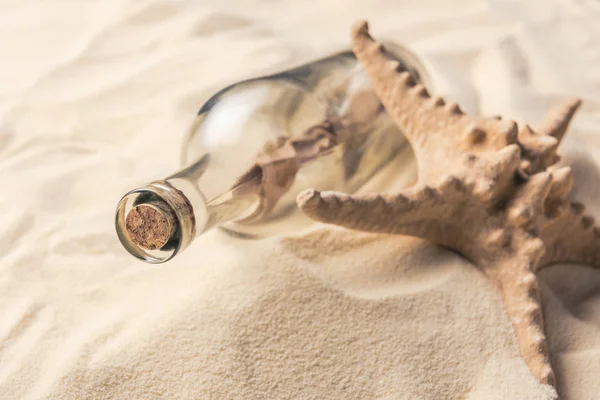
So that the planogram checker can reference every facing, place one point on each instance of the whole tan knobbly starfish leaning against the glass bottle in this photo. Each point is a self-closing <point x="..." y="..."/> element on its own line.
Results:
<point x="487" y="188"/>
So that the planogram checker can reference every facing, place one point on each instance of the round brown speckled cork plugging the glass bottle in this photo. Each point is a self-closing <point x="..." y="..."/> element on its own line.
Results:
<point x="149" y="226"/>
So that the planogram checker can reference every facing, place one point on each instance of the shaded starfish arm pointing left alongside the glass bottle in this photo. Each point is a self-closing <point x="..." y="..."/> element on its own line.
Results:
<point x="414" y="212"/>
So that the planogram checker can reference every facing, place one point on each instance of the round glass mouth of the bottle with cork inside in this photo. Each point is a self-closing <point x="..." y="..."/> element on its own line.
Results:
<point x="155" y="222"/>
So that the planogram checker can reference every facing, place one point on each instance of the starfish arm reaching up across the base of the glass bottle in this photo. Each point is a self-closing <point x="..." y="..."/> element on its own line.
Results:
<point x="435" y="129"/>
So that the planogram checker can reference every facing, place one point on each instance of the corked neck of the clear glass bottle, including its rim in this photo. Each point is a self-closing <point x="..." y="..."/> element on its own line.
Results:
<point x="156" y="222"/>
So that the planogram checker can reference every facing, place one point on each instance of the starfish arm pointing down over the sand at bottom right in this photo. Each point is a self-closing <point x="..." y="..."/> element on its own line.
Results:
<point x="518" y="287"/>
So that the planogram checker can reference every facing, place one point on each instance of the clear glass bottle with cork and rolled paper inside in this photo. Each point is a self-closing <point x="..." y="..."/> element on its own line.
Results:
<point x="255" y="145"/>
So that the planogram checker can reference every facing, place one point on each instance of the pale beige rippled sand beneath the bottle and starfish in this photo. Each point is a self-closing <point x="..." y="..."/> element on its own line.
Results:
<point x="329" y="314"/>
